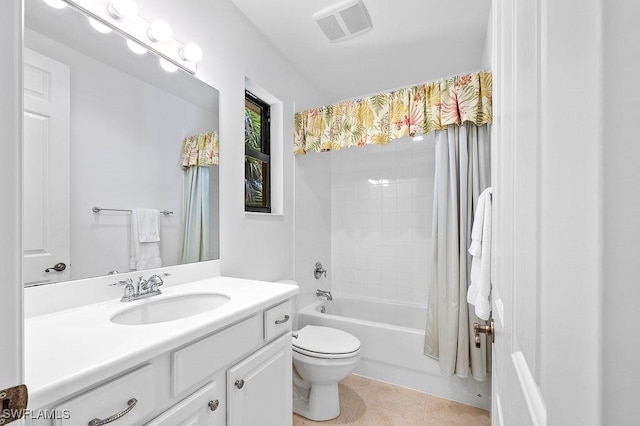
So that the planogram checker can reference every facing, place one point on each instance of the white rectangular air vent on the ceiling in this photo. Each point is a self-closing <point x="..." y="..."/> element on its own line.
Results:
<point x="344" y="20"/>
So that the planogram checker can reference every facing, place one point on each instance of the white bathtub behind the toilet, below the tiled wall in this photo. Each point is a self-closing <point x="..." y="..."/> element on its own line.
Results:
<point x="392" y="337"/>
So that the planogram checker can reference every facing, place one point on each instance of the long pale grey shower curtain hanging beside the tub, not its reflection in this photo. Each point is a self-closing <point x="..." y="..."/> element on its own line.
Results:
<point x="462" y="173"/>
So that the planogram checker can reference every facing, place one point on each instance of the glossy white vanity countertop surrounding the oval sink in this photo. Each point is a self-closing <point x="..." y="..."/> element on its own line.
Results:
<point x="68" y="351"/>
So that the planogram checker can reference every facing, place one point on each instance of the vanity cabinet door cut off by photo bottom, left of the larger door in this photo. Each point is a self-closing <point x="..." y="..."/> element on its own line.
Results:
<point x="203" y="407"/>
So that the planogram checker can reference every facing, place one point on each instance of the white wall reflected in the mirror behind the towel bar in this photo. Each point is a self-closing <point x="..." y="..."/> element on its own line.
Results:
<point x="126" y="140"/>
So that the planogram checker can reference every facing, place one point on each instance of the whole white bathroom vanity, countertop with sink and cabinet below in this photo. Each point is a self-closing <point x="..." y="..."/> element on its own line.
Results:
<point x="216" y="351"/>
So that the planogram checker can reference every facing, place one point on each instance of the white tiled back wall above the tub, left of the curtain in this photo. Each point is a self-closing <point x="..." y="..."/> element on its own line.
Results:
<point x="381" y="209"/>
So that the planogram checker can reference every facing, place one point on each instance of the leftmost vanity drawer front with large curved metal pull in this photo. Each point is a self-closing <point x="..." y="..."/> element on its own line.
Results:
<point x="115" y="397"/>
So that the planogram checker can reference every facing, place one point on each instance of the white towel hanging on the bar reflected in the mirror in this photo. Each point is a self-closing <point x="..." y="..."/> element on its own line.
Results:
<point x="145" y="239"/>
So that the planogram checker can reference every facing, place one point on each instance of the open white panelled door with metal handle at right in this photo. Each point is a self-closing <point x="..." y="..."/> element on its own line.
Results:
<point x="517" y="399"/>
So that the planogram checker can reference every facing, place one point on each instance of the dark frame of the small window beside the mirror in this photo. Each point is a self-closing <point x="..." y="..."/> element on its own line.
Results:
<point x="263" y="155"/>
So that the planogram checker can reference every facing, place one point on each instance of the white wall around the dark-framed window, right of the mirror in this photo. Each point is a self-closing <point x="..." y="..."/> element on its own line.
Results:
<point x="252" y="246"/>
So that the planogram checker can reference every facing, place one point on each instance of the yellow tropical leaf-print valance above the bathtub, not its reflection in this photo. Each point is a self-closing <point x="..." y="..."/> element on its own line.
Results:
<point x="410" y="111"/>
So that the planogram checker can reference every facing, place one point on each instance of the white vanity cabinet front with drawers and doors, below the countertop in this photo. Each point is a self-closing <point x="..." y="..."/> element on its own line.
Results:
<point x="238" y="375"/>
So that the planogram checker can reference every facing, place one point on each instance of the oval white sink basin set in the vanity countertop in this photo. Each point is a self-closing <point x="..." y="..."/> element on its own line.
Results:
<point x="170" y="308"/>
